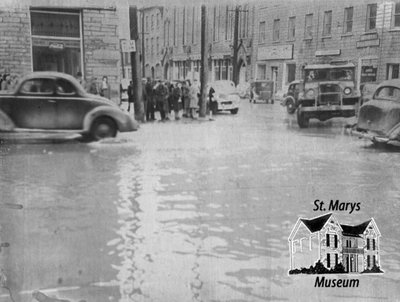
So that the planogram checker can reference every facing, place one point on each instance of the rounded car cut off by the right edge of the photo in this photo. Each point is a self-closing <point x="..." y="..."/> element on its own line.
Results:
<point x="379" y="118"/>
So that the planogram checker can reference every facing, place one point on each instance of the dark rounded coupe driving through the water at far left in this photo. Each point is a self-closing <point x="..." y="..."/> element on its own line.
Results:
<point x="56" y="102"/>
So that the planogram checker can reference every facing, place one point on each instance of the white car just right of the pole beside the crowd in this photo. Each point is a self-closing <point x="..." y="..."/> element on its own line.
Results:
<point x="225" y="96"/>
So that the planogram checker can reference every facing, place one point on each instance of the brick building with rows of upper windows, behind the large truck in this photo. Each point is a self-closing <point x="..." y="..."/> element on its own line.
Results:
<point x="292" y="33"/>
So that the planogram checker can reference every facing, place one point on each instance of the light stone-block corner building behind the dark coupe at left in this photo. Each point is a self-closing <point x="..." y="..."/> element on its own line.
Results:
<point x="66" y="36"/>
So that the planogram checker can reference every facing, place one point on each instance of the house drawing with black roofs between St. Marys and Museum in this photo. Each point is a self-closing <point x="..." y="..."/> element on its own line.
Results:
<point x="324" y="239"/>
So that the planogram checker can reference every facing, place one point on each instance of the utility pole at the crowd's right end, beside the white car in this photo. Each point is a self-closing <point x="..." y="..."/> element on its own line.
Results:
<point x="204" y="65"/>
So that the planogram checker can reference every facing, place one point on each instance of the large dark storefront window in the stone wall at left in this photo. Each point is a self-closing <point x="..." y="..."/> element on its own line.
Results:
<point x="56" y="41"/>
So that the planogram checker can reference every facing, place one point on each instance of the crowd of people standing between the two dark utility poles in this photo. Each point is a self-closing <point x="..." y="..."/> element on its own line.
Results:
<point x="166" y="97"/>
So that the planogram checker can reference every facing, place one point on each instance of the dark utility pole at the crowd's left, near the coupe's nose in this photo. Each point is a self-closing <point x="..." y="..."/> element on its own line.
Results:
<point x="135" y="64"/>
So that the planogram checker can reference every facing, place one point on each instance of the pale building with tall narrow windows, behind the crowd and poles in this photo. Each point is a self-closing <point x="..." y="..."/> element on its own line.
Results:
<point x="178" y="46"/>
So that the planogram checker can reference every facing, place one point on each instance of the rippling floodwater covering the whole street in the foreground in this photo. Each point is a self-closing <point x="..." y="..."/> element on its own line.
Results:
<point x="190" y="210"/>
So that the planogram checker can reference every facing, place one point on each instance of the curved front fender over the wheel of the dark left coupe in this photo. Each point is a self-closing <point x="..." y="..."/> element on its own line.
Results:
<point x="123" y="120"/>
